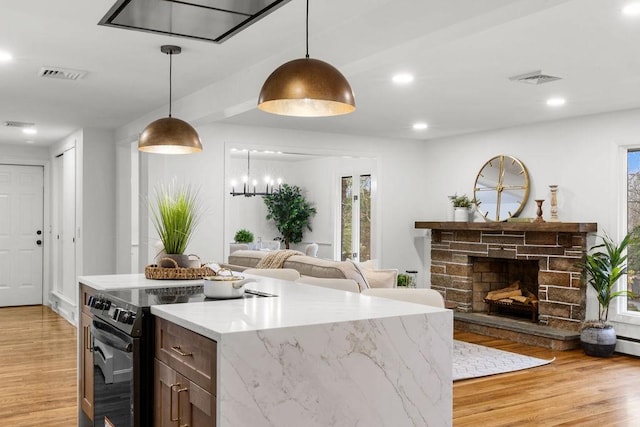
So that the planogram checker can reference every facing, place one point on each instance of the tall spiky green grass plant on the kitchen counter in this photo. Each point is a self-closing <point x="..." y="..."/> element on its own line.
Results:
<point x="175" y="213"/>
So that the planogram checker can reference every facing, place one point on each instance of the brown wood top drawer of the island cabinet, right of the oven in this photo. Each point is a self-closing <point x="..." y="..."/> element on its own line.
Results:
<point x="190" y="354"/>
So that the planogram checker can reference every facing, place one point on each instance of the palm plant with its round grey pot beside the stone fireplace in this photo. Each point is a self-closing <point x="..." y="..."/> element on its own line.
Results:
<point x="604" y="265"/>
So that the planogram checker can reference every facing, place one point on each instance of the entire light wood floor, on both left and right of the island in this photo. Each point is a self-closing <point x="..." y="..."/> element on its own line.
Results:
<point x="38" y="381"/>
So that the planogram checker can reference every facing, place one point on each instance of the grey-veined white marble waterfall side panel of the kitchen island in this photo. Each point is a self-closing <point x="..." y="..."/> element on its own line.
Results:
<point x="393" y="371"/>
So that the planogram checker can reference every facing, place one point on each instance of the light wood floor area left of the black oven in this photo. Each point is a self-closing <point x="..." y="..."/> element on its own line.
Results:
<point x="37" y="368"/>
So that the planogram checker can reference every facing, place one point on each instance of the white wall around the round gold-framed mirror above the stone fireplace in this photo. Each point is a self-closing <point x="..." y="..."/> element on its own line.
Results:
<point x="580" y="155"/>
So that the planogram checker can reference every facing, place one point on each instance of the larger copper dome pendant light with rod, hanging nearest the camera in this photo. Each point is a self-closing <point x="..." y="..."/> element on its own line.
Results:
<point x="306" y="88"/>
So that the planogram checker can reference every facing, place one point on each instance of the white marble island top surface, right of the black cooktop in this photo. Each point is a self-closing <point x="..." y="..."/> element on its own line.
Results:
<point x="296" y="305"/>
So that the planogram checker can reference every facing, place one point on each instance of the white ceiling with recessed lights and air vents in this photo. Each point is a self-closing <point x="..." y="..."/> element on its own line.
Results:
<point x="462" y="53"/>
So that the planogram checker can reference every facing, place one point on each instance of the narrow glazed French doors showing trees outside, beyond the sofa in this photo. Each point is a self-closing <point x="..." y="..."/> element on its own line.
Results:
<point x="355" y="228"/>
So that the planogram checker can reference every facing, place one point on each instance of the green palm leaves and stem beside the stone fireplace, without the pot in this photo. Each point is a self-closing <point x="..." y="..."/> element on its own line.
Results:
<point x="604" y="268"/>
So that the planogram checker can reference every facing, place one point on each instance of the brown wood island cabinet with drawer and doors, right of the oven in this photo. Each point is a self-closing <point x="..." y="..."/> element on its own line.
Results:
<point x="185" y="377"/>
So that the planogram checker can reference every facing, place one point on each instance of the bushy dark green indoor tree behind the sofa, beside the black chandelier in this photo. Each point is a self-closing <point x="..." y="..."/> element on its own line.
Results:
<point x="290" y="211"/>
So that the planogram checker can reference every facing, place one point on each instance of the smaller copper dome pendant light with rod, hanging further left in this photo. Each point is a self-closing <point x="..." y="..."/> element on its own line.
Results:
<point x="169" y="135"/>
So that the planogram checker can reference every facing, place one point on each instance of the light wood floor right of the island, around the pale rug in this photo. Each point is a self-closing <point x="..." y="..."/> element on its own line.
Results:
<point x="574" y="390"/>
